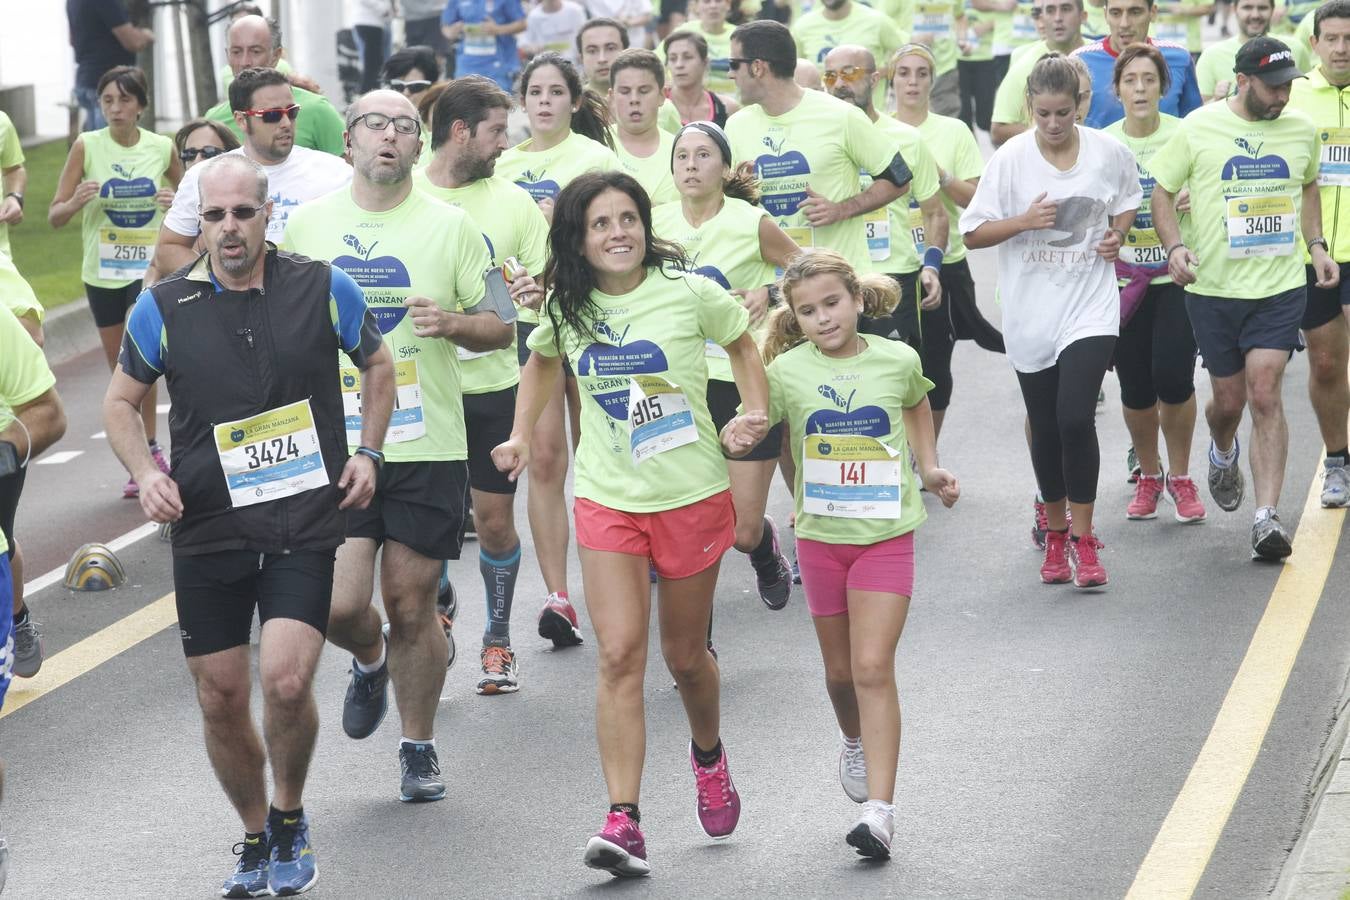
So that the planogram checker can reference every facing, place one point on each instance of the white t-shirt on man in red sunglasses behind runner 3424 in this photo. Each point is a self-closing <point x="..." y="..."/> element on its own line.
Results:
<point x="304" y="176"/>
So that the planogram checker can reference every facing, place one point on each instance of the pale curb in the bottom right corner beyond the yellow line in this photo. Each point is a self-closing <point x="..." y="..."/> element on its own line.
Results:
<point x="1320" y="864"/>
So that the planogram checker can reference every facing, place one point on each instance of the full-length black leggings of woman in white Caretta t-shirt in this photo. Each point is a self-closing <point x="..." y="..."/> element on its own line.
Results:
<point x="1062" y="407"/>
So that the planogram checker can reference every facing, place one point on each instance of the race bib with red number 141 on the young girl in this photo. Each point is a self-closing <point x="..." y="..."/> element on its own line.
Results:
<point x="850" y="477"/>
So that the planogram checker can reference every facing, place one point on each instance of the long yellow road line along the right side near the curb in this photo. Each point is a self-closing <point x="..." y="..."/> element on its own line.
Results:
<point x="1183" y="848"/>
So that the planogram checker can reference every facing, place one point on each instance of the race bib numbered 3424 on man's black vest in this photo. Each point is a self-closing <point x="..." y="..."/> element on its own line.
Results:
<point x="271" y="455"/>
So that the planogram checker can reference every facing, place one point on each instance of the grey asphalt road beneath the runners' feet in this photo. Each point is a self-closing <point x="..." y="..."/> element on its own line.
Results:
<point x="1047" y="733"/>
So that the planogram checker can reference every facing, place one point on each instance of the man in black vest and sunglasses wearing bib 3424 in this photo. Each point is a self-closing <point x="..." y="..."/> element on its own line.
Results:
<point x="256" y="499"/>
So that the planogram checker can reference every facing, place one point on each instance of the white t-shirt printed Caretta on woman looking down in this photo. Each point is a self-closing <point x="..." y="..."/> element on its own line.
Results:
<point x="1054" y="285"/>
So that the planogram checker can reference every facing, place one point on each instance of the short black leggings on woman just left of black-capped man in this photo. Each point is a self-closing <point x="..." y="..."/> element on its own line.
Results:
<point x="1155" y="358"/>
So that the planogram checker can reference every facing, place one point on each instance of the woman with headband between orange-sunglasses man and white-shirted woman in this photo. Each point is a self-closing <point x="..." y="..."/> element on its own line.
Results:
<point x="959" y="168"/>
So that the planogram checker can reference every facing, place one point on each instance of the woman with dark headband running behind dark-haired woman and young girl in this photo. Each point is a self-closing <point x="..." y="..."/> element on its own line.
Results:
<point x="736" y="245"/>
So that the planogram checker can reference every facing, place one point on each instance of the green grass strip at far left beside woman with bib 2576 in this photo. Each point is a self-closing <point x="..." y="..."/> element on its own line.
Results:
<point x="49" y="258"/>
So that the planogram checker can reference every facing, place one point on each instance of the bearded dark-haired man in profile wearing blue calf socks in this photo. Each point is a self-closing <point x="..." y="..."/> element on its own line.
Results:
<point x="468" y="140"/>
